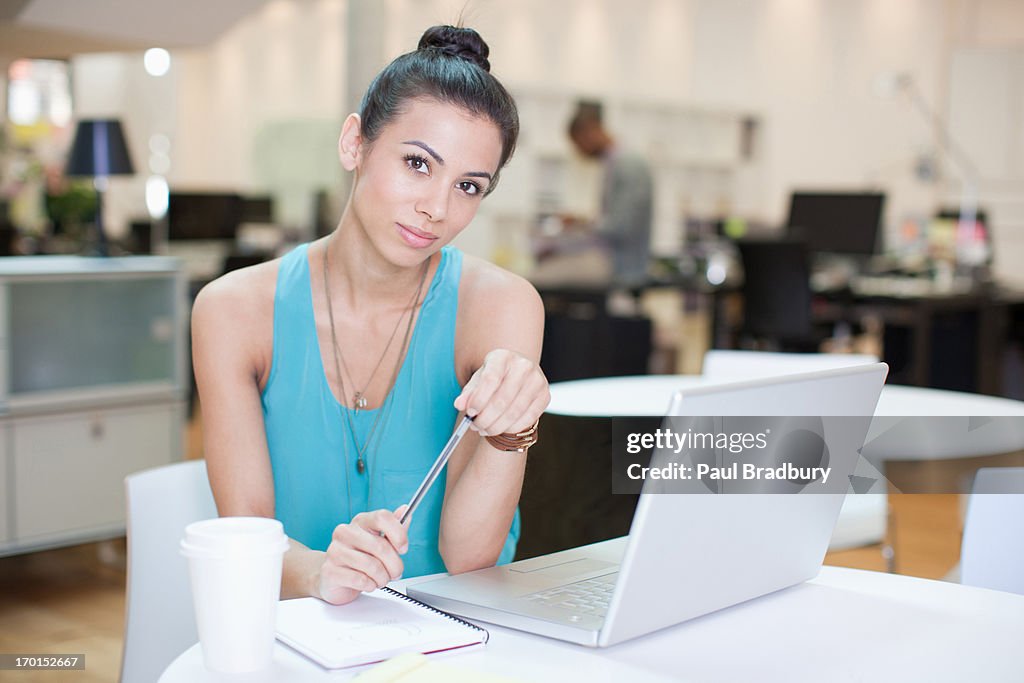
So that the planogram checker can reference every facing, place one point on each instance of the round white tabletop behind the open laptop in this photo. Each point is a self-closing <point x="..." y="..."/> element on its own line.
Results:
<point x="964" y="432"/>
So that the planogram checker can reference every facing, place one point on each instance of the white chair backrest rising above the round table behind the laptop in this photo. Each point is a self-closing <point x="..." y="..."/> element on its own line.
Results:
<point x="729" y="364"/>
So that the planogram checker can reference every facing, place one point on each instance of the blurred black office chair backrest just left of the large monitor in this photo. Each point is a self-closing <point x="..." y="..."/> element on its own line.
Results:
<point x="777" y="295"/>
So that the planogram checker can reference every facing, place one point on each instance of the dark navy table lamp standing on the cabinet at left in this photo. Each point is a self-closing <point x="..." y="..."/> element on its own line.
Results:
<point x="99" y="152"/>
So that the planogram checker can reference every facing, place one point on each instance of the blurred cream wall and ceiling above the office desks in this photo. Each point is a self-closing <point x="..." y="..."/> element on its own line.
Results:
<point x="740" y="103"/>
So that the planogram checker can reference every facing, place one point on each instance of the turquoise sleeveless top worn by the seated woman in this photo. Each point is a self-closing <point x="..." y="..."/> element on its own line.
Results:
<point x="316" y="486"/>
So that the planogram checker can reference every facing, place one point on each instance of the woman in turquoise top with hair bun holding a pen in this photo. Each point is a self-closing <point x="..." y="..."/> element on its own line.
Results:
<point x="331" y="378"/>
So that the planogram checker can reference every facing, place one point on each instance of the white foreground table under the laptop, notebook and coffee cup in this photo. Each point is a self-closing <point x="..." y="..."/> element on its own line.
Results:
<point x="846" y="625"/>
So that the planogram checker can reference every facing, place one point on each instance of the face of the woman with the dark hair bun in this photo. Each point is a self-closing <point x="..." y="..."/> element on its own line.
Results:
<point x="420" y="184"/>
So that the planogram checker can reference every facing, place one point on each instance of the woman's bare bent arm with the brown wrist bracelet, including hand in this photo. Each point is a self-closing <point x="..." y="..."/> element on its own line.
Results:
<point x="499" y="338"/>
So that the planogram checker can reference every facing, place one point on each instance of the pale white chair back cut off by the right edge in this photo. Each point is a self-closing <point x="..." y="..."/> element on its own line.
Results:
<point x="993" y="550"/>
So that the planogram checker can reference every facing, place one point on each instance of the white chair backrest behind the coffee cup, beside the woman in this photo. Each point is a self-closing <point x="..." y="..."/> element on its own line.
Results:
<point x="159" y="619"/>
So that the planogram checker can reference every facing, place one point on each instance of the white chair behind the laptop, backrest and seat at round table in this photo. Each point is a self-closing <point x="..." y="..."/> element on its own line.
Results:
<point x="864" y="520"/>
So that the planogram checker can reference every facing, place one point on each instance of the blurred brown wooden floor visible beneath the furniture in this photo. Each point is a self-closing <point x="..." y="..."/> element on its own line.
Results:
<point x="72" y="601"/>
